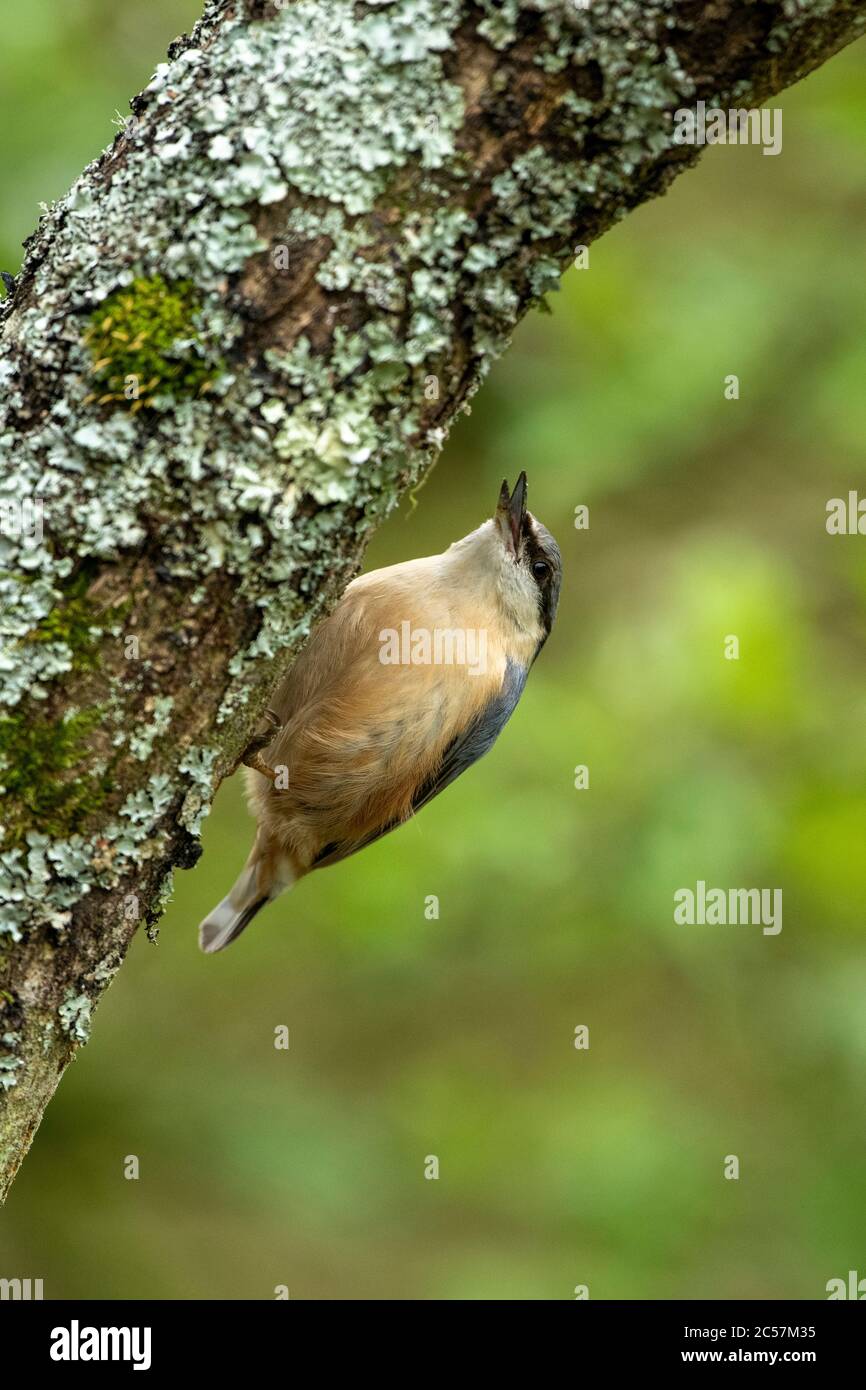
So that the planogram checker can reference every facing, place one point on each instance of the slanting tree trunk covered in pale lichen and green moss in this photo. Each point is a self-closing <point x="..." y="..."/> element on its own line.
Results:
<point x="231" y="348"/>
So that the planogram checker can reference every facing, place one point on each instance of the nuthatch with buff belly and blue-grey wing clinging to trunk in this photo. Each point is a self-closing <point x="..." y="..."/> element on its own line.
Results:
<point x="398" y="692"/>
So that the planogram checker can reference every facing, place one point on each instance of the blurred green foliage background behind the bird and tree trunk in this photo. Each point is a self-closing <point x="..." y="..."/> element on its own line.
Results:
<point x="454" y="1038"/>
